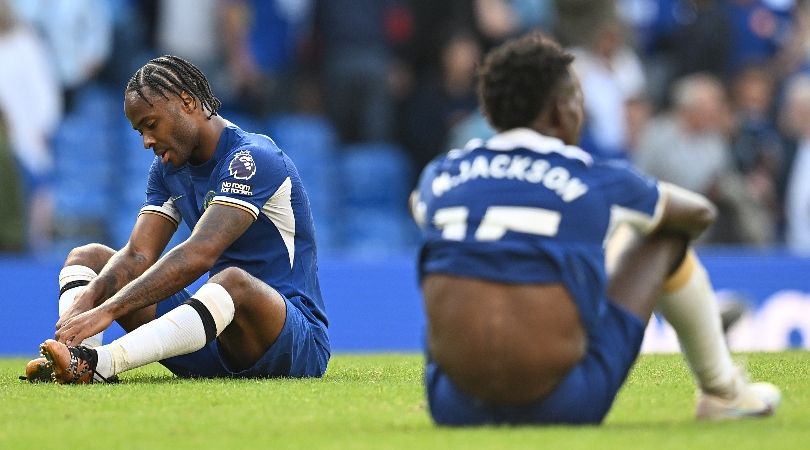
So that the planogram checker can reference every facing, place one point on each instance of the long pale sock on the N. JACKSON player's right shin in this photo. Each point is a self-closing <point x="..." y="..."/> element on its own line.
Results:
<point x="689" y="305"/>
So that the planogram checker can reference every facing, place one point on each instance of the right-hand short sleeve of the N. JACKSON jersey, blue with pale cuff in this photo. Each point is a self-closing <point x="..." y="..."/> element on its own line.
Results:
<point x="635" y="198"/>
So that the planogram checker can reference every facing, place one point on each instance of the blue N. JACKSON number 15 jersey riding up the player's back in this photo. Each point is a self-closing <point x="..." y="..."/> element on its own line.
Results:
<point x="525" y="208"/>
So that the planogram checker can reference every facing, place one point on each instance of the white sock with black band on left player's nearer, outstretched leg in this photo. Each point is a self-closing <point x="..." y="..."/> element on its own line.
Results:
<point x="178" y="332"/>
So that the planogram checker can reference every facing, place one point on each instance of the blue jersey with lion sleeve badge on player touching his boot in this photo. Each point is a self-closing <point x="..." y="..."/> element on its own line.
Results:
<point x="248" y="171"/>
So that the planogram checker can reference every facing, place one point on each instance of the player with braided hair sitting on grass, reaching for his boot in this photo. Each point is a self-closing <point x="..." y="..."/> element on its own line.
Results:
<point x="260" y="314"/>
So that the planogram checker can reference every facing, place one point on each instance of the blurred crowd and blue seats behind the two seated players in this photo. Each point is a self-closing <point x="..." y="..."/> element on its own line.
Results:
<point x="713" y="95"/>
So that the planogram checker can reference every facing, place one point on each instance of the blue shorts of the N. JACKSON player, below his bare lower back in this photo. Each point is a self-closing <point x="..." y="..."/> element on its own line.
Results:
<point x="584" y="396"/>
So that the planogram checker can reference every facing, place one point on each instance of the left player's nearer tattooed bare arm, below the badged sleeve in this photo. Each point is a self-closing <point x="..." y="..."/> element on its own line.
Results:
<point x="218" y="227"/>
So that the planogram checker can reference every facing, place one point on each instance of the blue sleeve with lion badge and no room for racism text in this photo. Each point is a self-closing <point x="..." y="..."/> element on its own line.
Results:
<point x="250" y="178"/>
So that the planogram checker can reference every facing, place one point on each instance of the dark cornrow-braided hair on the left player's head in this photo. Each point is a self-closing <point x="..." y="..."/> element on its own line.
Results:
<point x="172" y="74"/>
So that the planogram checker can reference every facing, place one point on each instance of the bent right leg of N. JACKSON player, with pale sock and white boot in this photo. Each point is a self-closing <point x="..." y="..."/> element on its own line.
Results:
<point x="687" y="301"/>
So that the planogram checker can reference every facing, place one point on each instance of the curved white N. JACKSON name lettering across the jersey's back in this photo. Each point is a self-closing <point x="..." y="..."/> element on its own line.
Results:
<point x="557" y="179"/>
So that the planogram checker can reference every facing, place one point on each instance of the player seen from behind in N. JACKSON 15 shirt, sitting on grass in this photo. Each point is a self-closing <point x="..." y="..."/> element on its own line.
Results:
<point x="525" y="323"/>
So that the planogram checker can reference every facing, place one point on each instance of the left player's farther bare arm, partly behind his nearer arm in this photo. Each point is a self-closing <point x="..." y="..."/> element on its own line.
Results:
<point x="149" y="238"/>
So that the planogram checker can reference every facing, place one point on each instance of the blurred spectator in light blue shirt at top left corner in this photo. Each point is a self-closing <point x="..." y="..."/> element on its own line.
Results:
<point x="78" y="34"/>
